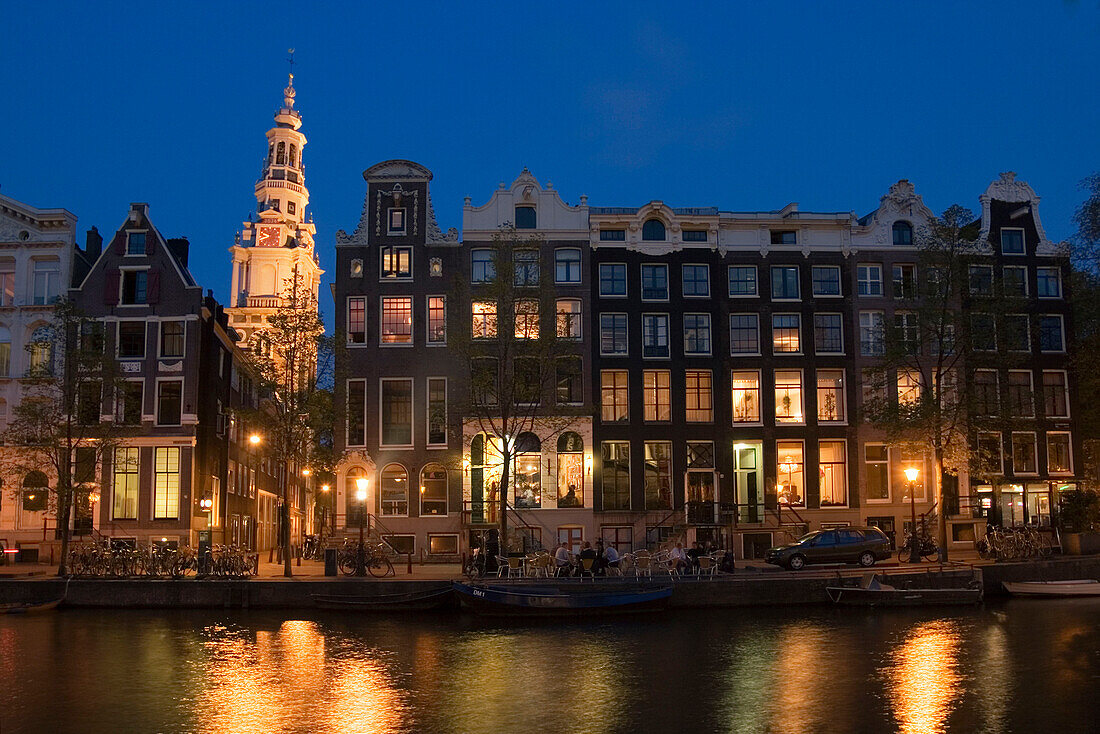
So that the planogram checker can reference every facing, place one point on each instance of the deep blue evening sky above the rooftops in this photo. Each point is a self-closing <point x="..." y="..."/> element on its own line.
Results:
<point x="736" y="106"/>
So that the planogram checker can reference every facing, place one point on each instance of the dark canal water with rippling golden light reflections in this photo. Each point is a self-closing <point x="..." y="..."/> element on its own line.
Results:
<point x="1017" y="666"/>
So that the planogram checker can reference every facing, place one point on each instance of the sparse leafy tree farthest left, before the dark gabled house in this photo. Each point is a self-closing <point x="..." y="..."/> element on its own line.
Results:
<point x="58" y="426"/>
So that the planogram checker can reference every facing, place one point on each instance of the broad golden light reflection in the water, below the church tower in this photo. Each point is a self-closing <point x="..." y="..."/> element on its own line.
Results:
<point x="279" y="680"/>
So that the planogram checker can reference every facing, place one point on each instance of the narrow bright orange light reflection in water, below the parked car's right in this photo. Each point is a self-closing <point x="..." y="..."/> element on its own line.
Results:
<point x="922" y="680"/>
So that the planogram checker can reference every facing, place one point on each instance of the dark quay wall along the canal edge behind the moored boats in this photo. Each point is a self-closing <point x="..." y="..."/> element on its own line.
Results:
<point x="743" y="589"/>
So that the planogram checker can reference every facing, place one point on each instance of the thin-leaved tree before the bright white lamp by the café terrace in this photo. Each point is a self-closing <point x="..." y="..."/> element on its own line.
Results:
<point x="519" y="349"/>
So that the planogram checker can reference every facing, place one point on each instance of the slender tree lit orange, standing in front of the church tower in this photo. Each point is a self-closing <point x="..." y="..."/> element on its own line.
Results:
<point x="285" y="359"/>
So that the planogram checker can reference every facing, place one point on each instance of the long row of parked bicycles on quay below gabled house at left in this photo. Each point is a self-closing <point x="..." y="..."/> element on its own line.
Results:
<point x="103" y="561"/>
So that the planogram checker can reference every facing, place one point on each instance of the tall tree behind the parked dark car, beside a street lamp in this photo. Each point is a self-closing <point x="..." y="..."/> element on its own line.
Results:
<point x="923" y="395"/>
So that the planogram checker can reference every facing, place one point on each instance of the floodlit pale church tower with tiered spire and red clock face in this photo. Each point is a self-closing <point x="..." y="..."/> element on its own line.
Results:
<point x="277" y="246"/>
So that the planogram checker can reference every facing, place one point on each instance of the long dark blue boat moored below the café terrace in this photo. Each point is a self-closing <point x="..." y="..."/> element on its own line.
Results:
<point x="554" y="602"/>
